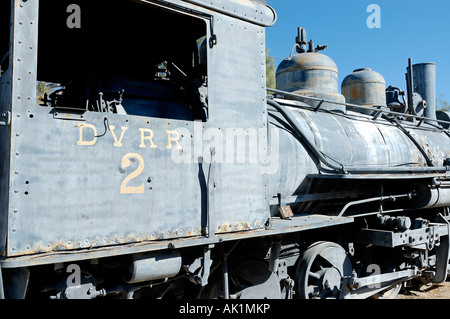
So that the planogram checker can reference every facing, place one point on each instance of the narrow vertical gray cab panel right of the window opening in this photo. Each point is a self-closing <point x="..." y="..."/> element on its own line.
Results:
<point x="238" y="99"/>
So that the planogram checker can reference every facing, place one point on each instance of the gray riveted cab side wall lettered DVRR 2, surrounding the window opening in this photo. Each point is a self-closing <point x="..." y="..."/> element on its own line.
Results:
<point x="104" y="180"/>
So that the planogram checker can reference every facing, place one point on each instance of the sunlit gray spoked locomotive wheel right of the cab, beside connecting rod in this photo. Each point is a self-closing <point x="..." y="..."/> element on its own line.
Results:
<point x="321" y="269"/>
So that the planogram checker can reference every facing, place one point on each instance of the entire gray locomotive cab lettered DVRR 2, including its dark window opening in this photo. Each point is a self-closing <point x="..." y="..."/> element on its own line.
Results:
<point x="125" y="146"/>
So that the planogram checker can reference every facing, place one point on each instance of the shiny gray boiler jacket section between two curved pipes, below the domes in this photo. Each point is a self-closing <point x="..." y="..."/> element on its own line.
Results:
<point x="359" y="142"/>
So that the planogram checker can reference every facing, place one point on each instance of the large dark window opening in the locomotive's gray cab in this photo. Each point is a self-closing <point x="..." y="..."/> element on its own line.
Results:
<point x="135" y="59"/>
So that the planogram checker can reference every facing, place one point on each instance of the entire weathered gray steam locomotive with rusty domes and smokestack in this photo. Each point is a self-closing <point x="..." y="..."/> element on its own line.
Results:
<point x="161" y="168"/>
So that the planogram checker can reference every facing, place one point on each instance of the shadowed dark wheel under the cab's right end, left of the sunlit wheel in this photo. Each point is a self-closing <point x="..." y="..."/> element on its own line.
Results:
<point x="249" y="279"/>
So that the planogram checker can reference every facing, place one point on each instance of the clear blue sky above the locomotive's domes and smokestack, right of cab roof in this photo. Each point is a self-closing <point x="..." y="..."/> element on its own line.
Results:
<point x="417" y="29"/>
